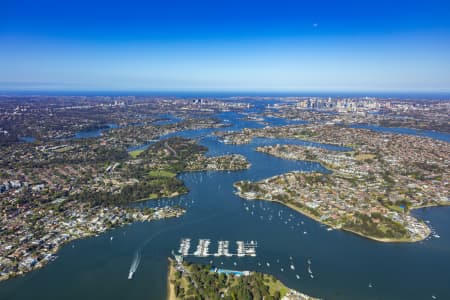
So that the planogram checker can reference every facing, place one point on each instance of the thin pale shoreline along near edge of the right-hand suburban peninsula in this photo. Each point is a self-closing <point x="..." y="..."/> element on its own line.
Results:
<point x="317" y="219"/>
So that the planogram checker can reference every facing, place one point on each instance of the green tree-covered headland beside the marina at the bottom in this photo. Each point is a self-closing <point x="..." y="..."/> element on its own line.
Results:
<point x="194" y="281"/>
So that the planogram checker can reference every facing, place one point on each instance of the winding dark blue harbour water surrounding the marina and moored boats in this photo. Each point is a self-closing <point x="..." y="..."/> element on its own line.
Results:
<point x="343" y="264"/>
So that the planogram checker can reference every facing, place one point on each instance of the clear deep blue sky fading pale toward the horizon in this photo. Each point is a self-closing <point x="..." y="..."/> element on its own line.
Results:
<point x="218" y="45"/>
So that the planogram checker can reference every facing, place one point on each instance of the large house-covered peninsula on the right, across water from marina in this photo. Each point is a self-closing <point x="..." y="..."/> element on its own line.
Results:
<point x="373" y="183"/>
